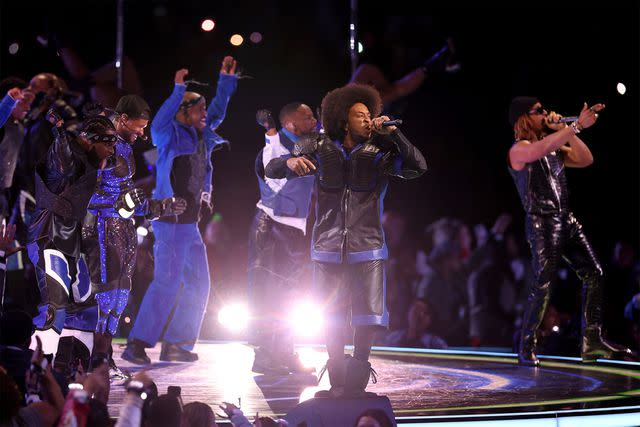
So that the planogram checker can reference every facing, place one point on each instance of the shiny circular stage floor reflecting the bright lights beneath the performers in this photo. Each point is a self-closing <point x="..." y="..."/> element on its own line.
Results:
<point x="422" y="385"/>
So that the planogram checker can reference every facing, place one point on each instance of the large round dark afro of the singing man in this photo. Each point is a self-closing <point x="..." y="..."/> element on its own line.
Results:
<point x="336" y="105"/>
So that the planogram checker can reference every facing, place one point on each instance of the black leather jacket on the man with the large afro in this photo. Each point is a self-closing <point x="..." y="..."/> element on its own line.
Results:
<point x="351" y="187"/>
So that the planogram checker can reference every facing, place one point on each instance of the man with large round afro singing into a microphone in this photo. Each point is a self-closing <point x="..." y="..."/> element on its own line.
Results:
<point x="352" y="164"/>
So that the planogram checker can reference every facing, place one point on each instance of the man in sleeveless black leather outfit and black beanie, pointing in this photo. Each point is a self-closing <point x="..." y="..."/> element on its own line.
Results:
<point x="543" y="148"/>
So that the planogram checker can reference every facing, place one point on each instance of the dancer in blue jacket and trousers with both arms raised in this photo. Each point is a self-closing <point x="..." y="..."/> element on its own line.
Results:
<point x="183" y="131"/>
